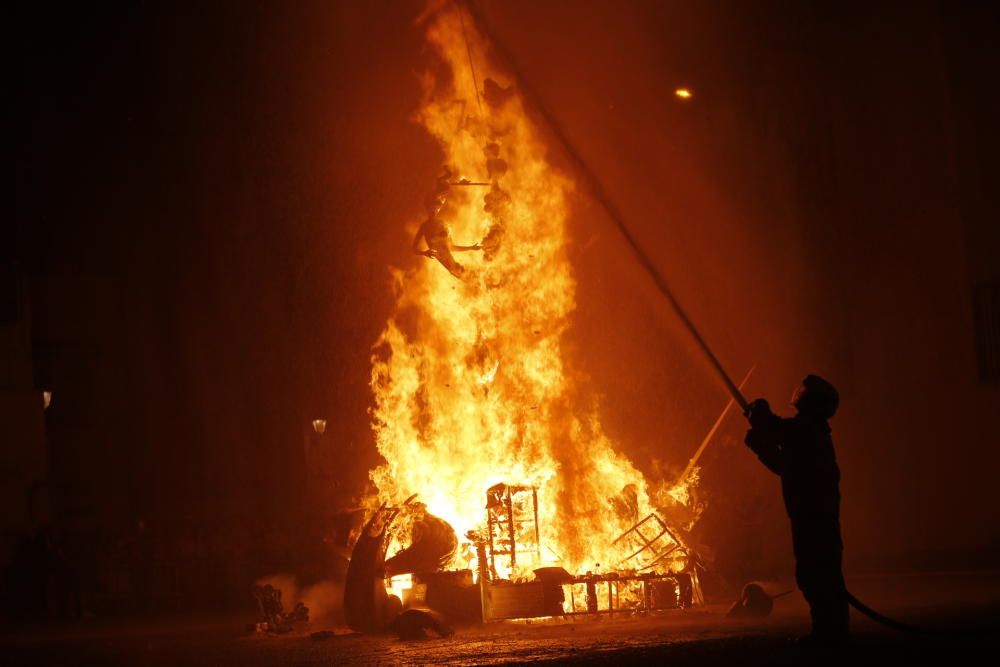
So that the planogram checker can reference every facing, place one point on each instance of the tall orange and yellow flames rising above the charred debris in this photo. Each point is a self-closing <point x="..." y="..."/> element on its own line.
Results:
<point x="470" y="376"/>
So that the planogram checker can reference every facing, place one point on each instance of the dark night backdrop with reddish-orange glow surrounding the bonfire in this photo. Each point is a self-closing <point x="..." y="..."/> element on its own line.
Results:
<point x="207" y="201"/>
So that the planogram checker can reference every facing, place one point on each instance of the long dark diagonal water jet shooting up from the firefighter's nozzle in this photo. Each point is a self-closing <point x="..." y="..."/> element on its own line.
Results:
<point x="600" y="194"/>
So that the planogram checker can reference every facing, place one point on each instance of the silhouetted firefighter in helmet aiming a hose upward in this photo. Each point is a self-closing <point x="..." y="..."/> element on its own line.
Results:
<point x="800" y="451"/>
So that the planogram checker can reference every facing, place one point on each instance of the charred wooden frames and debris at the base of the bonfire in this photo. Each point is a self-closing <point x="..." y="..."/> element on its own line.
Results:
<point x="647" y="579"/>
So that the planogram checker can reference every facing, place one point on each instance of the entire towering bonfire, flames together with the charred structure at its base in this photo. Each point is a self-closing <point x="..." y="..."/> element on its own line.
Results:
<point x="475" y="398"/>
